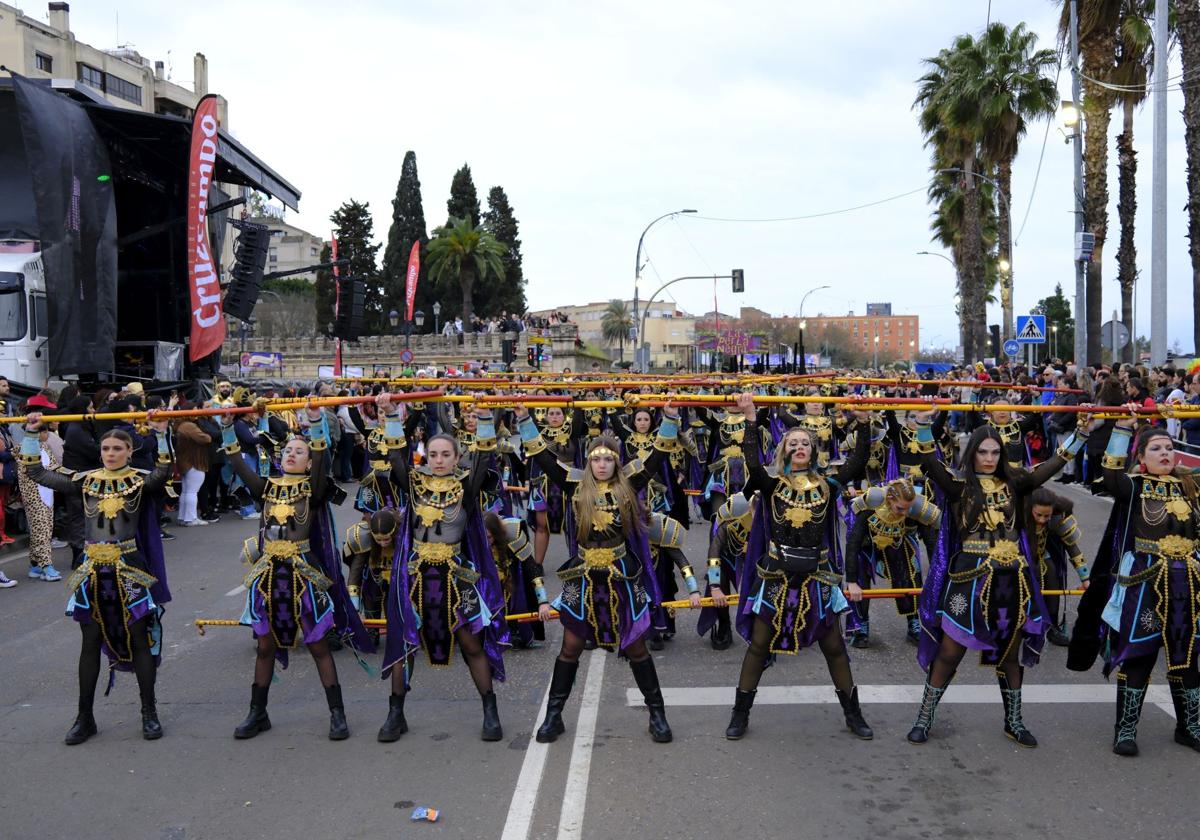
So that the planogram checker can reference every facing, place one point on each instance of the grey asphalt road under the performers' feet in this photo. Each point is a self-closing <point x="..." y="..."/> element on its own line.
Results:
<point x="797" y="775"/>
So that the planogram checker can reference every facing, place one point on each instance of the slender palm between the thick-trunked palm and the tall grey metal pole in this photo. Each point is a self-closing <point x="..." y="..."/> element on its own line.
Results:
<point x="1132" y="73"/>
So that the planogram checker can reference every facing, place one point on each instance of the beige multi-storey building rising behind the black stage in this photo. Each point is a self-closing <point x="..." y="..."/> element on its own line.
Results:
<point x="50" y="51"/>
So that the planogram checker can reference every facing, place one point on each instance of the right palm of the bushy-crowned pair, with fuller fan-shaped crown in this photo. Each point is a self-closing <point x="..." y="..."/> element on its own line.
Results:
<point x="1010" y="81"/>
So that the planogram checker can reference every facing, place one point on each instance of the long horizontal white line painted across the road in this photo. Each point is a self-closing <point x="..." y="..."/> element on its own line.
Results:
<point x="958" y="693"/>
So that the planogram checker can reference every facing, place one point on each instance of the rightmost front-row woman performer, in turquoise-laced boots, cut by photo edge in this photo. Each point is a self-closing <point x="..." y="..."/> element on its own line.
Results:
<point x="1155" y="603"/>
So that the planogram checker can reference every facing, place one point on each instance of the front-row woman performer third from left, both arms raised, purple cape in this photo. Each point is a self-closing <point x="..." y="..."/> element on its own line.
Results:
<point x="446" y="587"/>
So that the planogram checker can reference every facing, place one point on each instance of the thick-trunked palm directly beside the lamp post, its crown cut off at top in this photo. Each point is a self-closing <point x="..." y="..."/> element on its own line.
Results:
<point x="1100" y="22"/>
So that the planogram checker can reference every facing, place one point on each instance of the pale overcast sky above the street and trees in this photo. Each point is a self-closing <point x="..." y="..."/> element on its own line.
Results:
<point x="597" y="118"/>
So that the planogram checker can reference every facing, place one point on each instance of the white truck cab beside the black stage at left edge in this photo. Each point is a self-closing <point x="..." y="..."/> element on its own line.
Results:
<point x="25" y="320"/>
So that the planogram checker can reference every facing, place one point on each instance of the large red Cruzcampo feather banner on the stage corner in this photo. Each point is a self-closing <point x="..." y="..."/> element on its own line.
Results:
<point x="203" y="279"/>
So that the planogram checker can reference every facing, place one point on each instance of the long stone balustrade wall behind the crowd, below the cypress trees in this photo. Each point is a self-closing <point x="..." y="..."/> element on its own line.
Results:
<point x="302" y="357"/>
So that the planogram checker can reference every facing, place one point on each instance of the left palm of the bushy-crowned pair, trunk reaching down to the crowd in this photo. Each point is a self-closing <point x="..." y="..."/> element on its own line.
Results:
<point x="951" y="121"/>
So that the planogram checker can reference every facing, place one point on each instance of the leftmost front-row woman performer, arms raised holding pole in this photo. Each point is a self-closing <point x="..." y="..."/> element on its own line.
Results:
<point x="119" y="591"/>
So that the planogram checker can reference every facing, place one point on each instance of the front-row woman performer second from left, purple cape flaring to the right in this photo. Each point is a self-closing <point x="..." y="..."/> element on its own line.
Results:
<point x="295" y="591"/>
